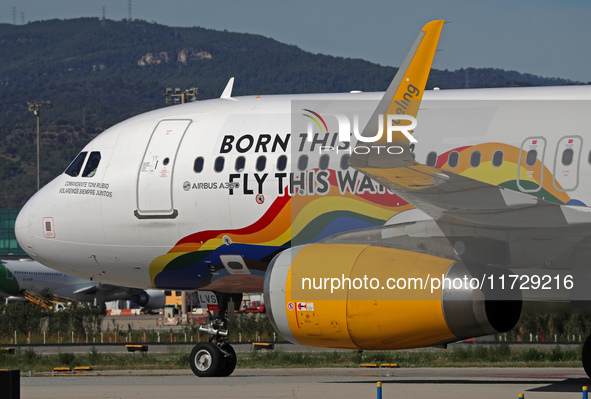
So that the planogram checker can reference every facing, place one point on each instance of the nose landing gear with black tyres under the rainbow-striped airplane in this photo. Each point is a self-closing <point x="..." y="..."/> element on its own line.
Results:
<point x="215" y="358"/>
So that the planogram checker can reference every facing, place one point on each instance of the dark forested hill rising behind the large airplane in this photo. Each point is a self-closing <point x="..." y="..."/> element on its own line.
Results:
<point x="97" y="73"/>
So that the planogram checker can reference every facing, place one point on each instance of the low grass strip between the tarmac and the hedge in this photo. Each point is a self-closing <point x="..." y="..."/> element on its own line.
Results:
<point x="468" y="356"/>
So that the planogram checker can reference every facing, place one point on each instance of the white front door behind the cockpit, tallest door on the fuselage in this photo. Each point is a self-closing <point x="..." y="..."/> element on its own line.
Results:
<point x="155" y="176"/>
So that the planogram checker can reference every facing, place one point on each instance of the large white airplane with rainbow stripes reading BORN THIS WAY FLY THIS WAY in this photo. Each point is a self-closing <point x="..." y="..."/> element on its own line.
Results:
<point x="370" y="221"/>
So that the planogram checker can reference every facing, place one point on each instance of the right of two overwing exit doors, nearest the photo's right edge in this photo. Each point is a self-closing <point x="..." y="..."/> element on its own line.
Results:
<point x="566" y="163"/>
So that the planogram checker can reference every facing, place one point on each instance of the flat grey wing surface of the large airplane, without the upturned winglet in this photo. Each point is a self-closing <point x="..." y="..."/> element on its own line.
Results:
<point x="452" y="198"/>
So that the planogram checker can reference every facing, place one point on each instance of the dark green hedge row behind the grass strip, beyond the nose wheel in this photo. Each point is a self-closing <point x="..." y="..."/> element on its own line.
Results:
<point x="84" y="324"/>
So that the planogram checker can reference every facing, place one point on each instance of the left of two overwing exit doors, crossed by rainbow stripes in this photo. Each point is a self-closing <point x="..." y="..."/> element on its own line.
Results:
<point x="530" y="167"/>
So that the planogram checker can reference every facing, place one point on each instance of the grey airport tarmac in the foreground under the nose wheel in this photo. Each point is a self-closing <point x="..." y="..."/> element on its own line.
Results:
<point x="440" y="383"/>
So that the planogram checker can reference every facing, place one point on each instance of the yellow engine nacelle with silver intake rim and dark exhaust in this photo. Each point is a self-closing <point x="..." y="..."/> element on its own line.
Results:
<point x="368" y="297"/>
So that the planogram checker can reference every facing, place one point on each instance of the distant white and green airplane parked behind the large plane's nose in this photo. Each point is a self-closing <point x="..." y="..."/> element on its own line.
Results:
<point x="43" y="285"/>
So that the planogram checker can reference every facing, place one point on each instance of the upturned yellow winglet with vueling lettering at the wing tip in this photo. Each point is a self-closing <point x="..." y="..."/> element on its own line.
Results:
<point x="405" y="92"/>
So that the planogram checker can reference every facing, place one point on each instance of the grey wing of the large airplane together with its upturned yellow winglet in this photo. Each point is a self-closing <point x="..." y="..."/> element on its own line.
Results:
<point x="484" y="224"/>
